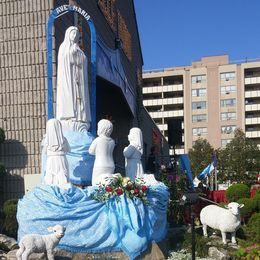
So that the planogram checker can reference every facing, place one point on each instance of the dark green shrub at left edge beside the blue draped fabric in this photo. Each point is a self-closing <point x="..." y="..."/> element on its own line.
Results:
<point x="10" y="222"/>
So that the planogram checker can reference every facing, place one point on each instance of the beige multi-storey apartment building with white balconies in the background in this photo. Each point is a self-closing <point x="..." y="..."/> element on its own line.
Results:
<point x="212" y="97"/>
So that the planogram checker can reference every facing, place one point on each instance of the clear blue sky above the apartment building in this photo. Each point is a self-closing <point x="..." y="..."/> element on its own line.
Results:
<point x="177" y="32"/>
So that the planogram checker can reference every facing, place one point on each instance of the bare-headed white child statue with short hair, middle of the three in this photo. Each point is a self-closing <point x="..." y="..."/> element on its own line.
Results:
<point x="102" y="147"/>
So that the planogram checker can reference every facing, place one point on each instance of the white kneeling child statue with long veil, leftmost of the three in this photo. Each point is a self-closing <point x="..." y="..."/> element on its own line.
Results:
<point x="57" y="168"/>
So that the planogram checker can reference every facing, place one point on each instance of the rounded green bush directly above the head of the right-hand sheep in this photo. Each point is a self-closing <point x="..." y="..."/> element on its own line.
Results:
<point x="237" y="191"/>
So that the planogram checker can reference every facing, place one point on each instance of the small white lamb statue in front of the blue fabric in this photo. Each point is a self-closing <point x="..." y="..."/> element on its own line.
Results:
<point x="34" y="243"/>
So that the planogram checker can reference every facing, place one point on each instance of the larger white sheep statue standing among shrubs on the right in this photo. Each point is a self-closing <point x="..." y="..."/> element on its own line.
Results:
<point x="225" y="220"/>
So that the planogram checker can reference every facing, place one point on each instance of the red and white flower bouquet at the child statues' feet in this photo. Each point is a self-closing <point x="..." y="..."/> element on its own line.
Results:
<point x="118" y="186"/>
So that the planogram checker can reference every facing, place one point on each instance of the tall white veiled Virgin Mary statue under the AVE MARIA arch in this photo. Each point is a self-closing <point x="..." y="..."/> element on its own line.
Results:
<point x="72" y="81"/>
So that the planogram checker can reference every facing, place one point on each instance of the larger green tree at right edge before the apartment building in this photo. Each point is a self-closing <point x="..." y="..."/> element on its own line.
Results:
<point x="240" y="160"/>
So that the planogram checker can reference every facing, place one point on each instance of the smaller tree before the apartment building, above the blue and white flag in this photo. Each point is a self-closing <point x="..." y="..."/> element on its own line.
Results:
<point x="200" y="155"/>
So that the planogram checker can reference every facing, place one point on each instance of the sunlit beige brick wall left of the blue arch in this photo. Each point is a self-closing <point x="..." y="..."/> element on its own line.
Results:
<point x="22" y="88"/>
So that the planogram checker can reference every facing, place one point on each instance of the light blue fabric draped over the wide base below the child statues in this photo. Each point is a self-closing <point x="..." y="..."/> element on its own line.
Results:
<point x="91" y="226"/>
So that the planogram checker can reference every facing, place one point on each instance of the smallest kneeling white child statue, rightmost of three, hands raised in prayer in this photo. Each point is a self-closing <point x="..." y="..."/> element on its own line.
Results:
<point x="133" y="153"/>
